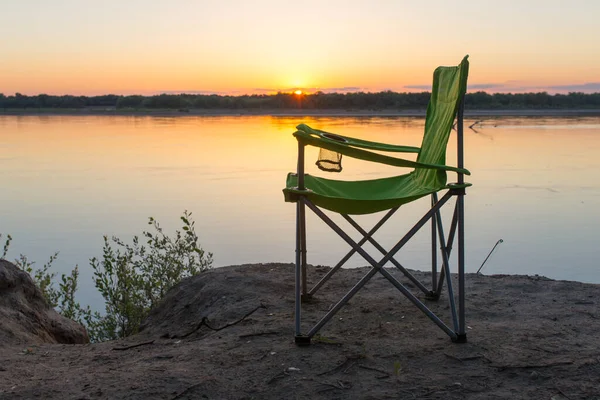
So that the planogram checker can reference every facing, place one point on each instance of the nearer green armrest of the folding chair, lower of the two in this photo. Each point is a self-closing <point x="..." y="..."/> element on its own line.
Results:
<point x="317" y="140"/>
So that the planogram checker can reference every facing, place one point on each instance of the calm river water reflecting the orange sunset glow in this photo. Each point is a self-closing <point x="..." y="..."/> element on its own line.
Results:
<point x="67" y="181"/>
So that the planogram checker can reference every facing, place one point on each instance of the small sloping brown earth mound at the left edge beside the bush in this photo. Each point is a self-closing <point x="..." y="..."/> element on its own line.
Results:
<point x="25" y="315"/>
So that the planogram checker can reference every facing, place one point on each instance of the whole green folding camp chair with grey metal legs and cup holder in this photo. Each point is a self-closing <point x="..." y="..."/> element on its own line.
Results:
<point x="427" y="178"/>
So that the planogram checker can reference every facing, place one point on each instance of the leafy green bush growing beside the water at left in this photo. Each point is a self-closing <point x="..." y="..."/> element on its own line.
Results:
<point x="132" y="278"/>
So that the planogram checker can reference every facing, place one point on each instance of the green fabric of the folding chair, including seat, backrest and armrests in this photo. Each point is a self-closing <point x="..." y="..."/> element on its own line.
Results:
<point x="428" y="176"/>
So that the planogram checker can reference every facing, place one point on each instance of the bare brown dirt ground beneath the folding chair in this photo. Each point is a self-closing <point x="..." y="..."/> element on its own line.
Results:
<point x="228" y="334"/>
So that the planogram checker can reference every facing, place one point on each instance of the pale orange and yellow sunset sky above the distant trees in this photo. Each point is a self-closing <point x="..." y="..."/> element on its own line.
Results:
<point x="263" y="46"/>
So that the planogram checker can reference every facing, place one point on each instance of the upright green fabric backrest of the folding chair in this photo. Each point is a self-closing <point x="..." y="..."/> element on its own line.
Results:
<point x="449" y="87"/>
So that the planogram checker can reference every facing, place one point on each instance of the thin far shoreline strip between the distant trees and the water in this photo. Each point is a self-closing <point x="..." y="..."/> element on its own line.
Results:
<point x="297" y="112"/>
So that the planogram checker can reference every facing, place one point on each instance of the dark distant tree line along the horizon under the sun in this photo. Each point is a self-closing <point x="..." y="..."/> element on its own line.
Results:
<point x="386" y="100"/>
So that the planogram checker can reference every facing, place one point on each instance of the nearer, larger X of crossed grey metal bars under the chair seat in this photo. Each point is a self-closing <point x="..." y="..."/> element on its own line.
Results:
<point x="378" y="266"/>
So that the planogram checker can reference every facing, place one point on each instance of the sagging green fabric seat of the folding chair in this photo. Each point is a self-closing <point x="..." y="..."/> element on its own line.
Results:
<point x="358" y="197"/>
